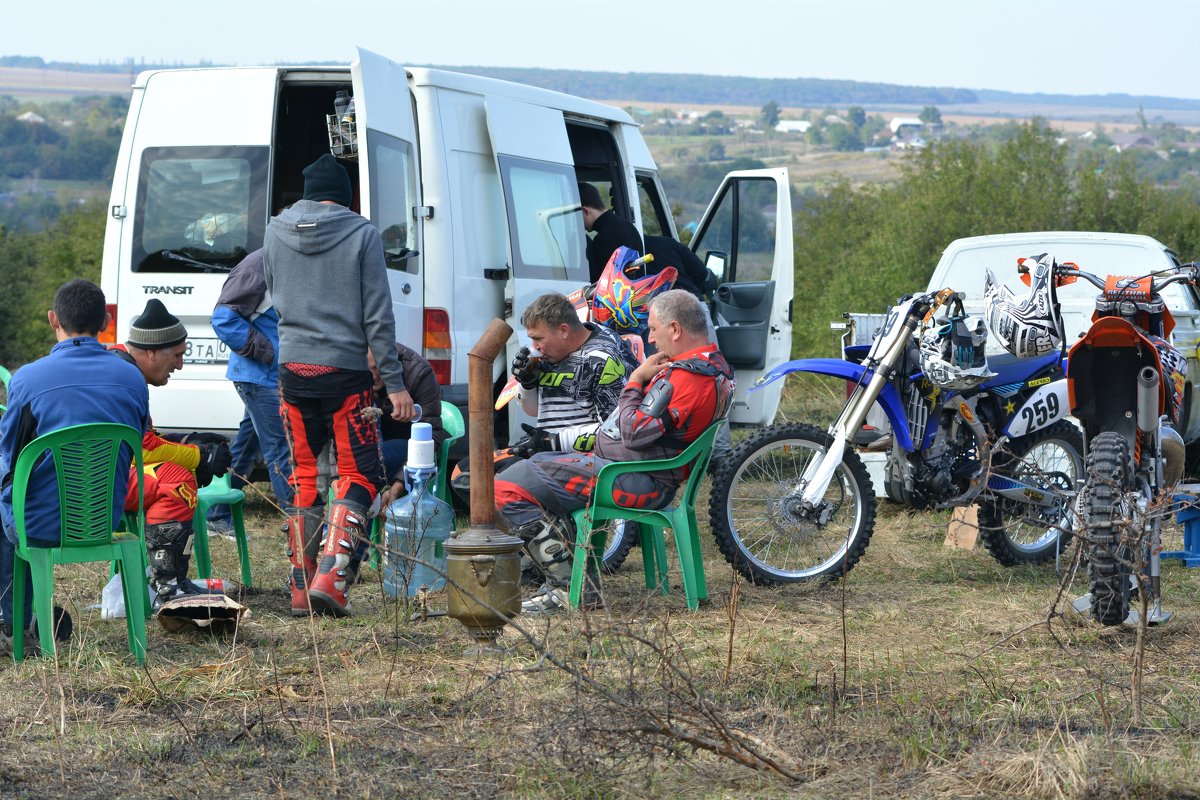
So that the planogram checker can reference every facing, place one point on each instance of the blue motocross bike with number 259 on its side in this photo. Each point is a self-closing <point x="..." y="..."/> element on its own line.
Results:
<point x="795" y="503"/>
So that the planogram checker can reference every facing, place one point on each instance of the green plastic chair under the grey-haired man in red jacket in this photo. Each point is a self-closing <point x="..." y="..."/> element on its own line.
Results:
<point x="681" y="519"/>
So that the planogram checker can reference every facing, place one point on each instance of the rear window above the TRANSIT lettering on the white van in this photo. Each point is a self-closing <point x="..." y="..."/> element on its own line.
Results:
<point x="200" y="209"/>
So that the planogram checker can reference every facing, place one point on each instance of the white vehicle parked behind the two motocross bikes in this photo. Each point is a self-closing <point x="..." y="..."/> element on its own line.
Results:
<point x="965" y="262"/>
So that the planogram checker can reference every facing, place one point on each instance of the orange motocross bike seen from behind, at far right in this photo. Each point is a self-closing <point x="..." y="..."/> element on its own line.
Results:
<point x="1126" y="388"/>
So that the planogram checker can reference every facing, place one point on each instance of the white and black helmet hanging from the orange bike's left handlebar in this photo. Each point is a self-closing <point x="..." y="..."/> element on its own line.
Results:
<point x="1027" y="327"/>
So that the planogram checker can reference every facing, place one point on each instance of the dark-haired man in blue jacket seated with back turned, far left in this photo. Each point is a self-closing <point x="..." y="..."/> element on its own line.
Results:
<point x="77" y="383"/>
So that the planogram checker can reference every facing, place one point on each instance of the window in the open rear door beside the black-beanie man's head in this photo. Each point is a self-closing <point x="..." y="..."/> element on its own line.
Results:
<point x="393" y="189"/>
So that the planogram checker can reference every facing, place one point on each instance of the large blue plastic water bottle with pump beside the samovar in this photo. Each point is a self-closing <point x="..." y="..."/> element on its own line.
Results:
<point x="418" y="524"/>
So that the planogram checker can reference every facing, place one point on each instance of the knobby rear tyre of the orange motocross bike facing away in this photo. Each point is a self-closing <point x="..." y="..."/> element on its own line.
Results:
<point x="1108" y="527"/>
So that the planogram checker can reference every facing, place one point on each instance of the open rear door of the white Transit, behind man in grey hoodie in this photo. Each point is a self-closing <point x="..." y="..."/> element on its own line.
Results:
<point x="389" y="189"/>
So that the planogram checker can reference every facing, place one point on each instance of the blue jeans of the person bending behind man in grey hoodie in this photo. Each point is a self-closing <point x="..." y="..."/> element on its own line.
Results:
<point x="261" y="432"/>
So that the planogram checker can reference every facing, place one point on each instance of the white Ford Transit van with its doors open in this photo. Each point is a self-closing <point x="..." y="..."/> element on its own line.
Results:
<point x="471" y="182"/>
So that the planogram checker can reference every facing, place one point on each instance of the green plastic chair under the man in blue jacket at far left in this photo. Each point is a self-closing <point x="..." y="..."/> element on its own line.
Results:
<point x="87" y="464"/>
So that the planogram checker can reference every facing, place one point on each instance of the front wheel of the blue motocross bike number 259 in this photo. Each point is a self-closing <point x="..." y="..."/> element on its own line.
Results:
<point x="758" y="519"/>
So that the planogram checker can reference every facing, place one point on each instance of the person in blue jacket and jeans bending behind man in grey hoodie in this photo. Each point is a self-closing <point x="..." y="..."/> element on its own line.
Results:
<point x="247" y="321"/>
